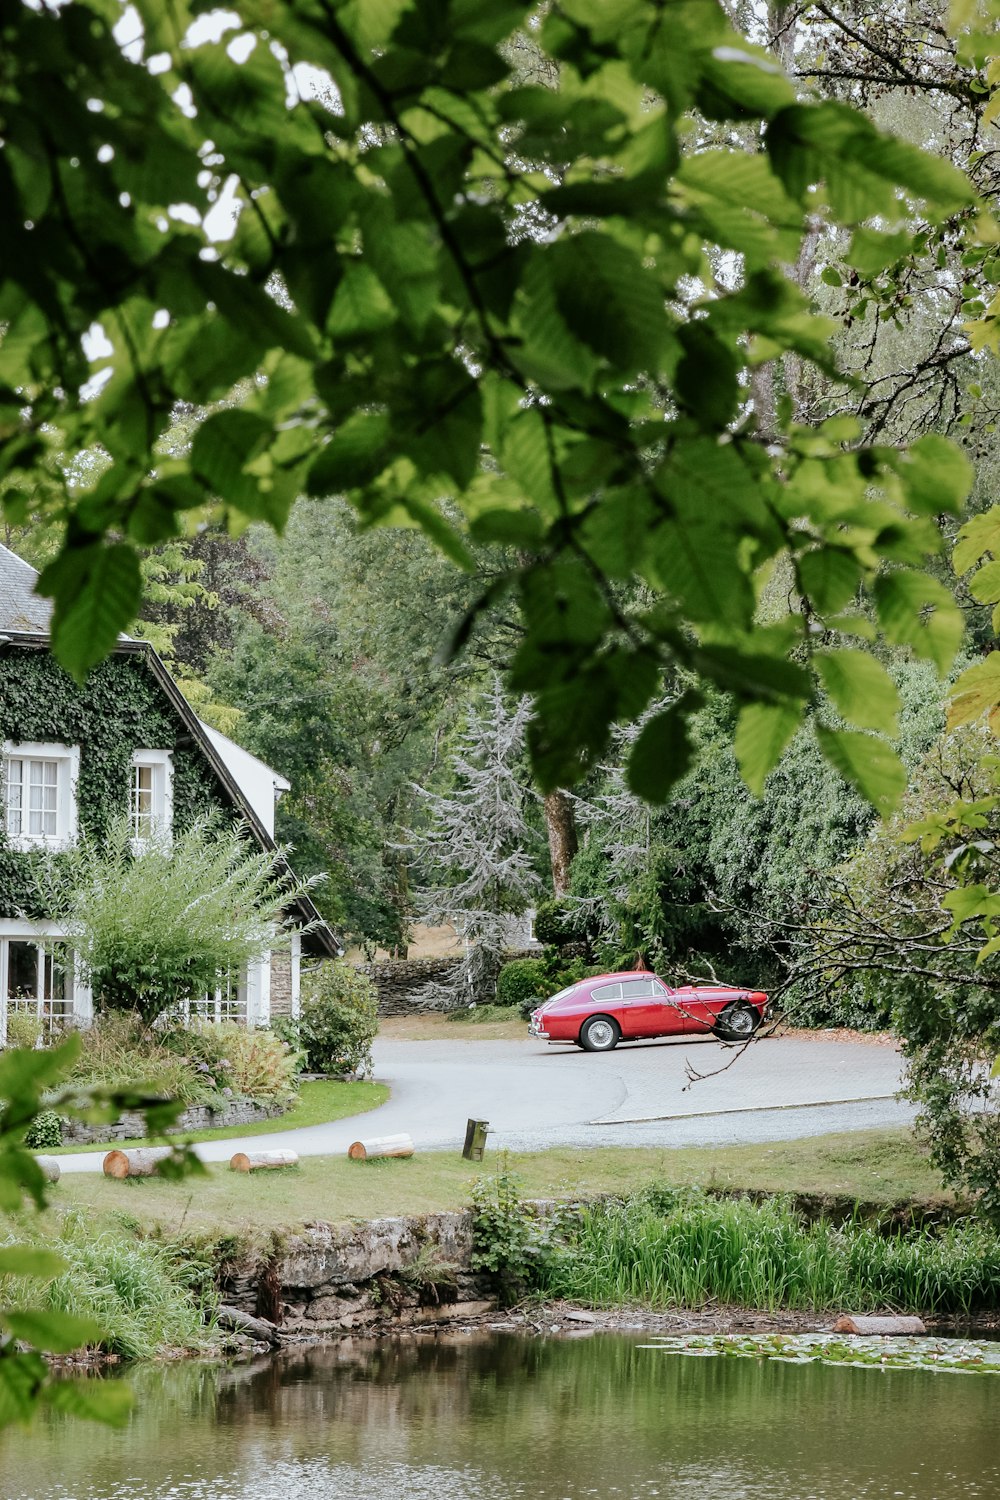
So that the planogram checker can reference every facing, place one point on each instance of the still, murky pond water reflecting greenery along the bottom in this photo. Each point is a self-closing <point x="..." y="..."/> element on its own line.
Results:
<point x="500" y="1417"/>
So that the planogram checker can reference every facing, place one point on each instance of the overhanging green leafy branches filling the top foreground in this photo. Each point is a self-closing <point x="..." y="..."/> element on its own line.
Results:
<point x="451" y="281"/>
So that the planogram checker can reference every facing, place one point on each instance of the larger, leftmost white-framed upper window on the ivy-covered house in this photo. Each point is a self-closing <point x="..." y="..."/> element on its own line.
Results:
<point x="40" y="794"/>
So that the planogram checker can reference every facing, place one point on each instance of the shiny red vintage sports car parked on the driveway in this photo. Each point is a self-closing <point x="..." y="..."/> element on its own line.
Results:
<point x="623" y="1007"/>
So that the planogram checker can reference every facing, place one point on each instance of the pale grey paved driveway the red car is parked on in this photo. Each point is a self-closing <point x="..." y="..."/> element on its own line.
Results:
<point x="639" y="1096"/>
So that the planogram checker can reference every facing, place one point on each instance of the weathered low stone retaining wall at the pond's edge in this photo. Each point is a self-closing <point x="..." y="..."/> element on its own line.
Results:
<point x="329" y="1279"/>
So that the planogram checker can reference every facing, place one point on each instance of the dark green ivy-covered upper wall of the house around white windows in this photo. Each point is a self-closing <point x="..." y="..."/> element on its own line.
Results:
<point x="121" y="709"/>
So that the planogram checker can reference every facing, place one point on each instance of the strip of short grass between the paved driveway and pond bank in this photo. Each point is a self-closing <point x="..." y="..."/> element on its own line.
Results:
<point x="882" y="1168"/>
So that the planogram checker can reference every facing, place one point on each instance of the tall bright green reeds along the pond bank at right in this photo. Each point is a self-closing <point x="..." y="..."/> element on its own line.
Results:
<point x="696" y="1249"/>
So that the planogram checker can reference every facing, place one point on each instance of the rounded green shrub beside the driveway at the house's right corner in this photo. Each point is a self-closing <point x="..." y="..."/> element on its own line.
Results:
<point x="340" y="1019"/>
